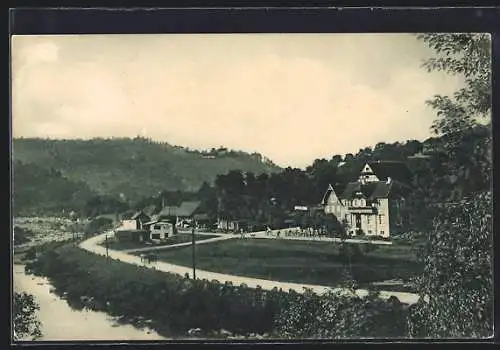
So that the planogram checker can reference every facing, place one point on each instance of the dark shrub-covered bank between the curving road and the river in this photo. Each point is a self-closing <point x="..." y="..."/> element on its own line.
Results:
<point x="175" y="304"/>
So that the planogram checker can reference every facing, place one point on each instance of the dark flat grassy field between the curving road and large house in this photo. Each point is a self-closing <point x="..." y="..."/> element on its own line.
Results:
<point x="300" y="262"/>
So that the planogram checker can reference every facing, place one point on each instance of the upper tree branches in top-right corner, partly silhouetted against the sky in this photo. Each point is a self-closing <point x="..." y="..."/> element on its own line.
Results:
<point x="468" y="153"/>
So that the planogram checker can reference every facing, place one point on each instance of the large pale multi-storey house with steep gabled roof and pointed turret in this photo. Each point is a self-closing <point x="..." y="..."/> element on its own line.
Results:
<point x="376" y="203"/>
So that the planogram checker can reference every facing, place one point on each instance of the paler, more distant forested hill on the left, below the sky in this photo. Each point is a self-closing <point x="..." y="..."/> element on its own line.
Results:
<point x="134" y="167"/>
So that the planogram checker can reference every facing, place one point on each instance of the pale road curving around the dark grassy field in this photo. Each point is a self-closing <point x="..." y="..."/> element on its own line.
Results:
<point x="93" y="245"/>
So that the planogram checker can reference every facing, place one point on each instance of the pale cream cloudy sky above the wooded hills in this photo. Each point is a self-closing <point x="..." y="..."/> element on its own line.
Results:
<point x="291" y="97"/>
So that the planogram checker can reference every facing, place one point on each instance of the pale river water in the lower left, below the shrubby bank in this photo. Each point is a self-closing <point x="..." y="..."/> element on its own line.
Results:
<point x="61" y="323"/>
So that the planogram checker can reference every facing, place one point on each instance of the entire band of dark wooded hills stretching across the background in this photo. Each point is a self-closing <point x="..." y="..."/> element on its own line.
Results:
<point x="100" y="176"/>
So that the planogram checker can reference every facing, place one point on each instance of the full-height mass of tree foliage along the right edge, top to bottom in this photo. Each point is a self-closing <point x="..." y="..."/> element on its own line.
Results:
<point x="457" y="280"/>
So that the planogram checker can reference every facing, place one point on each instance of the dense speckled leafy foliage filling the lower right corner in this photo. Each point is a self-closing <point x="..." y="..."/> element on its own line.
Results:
<point x="457" y="281"/>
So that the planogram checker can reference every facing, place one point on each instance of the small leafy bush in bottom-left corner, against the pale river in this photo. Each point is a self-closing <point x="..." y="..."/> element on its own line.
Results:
<point x="26" y="323"/>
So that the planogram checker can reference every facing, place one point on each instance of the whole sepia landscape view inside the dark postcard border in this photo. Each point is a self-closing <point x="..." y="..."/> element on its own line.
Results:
<point x="270" y="187"/>
